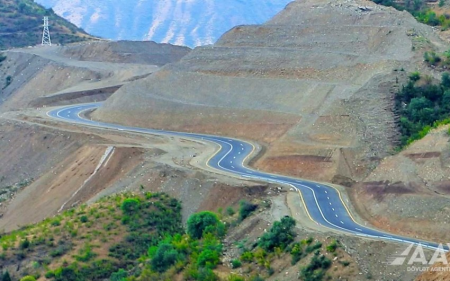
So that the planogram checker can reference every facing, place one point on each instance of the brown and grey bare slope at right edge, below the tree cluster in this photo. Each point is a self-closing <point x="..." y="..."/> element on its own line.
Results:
<point x="409" y="192"/>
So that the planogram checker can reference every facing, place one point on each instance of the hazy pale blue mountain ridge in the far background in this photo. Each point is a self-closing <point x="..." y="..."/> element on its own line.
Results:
<point x="181" y="22"/>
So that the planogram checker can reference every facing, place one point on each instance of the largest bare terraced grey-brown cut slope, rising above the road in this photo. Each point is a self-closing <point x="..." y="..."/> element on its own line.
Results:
<point x="313" y="84"/>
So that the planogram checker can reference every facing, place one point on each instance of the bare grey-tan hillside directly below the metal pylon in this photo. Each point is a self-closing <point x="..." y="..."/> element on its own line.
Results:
<point x="94" y="68"/>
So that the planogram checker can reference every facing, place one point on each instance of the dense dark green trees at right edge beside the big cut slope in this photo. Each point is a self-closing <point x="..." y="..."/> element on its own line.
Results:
<point x="422" y="106"/>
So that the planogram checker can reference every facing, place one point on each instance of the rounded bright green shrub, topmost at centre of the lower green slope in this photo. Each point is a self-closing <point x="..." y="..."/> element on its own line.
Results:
<point x="204" y="222"/>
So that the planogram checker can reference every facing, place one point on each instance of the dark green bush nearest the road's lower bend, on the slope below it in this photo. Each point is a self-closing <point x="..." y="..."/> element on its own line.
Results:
<point x="280" y="235"/>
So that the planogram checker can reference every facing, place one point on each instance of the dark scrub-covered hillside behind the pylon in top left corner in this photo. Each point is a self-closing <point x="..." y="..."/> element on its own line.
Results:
<point x="21" y="25"/>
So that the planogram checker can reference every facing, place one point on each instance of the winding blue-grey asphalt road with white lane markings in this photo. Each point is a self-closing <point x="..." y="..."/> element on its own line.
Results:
<point x="324" y="204"/>
